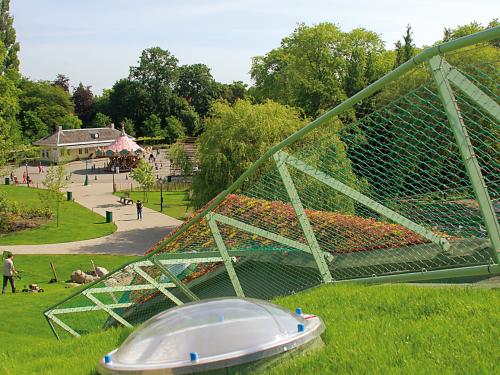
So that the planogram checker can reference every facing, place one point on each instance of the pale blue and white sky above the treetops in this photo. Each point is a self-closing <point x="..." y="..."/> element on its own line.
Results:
<point x="96" y="41"/>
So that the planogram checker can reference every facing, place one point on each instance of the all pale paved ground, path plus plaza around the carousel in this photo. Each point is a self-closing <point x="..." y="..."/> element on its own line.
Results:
<point x="133" y="237"/>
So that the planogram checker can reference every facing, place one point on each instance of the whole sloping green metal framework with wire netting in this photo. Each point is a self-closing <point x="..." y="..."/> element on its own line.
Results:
<point x="406" y="191"/>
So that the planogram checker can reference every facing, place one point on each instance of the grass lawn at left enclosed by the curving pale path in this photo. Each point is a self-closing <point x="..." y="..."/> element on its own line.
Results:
<point x="75" y="223"/>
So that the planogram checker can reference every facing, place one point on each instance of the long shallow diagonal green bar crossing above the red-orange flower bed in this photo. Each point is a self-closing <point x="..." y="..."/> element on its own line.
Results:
<point x="366" y="201"/>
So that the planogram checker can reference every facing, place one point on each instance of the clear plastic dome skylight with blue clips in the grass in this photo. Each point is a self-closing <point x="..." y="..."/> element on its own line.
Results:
<point x="211" y="334"/>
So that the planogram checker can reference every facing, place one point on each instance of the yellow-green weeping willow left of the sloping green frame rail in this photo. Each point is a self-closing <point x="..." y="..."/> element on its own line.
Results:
<point x="251" y="129"/>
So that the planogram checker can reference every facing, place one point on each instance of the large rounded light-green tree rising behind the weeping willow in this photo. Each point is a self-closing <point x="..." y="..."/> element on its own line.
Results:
<point x="311" y="67"/>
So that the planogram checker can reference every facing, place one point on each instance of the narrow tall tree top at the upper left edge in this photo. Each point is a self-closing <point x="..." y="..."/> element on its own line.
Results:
<point x="10" y="61"/>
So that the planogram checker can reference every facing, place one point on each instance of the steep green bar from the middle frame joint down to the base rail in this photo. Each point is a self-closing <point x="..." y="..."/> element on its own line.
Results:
<point x="316" y="251"/>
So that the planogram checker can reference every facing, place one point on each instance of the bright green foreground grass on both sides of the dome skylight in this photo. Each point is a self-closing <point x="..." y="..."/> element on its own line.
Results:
<point x="383" y="329"/>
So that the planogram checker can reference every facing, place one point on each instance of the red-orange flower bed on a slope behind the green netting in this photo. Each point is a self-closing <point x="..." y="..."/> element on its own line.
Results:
<point x="336" y="233"/>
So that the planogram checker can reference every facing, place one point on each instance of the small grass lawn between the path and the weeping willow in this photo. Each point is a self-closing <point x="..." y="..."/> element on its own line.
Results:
<point x="175" y="203"/>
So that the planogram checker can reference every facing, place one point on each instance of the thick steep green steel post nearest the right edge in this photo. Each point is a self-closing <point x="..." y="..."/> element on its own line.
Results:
<point x="467" y="151"/>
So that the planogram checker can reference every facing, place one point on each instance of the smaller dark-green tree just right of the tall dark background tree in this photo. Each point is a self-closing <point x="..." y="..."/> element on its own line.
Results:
<point x="197" y="86"/>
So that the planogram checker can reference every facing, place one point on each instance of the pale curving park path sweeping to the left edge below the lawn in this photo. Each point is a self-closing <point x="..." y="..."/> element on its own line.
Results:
<point x="132" y="237"/>
